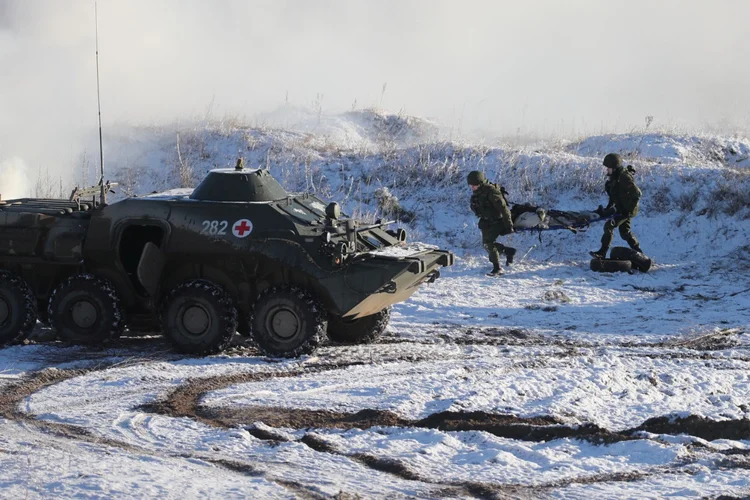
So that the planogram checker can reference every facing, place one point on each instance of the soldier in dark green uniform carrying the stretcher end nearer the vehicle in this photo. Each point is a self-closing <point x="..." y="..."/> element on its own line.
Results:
<point x="489" y="204"/>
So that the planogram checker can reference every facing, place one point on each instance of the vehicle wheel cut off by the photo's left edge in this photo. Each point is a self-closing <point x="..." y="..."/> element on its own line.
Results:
<point x="18" y="310"/>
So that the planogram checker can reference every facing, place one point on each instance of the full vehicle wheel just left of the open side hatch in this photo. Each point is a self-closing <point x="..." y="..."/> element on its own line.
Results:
<point x="85" y="309"/>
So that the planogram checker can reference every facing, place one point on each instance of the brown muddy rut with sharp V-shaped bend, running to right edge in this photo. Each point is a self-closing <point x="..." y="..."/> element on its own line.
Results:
<point x="185" y="402"/>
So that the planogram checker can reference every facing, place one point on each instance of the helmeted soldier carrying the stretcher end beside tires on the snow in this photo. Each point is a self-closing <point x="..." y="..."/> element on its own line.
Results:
<point x="624" y="196"/>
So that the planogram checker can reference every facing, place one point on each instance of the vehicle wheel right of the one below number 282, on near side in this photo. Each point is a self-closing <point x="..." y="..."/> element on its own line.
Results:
<point x="287" y="322"/>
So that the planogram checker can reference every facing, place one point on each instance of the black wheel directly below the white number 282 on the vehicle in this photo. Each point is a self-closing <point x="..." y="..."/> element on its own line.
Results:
<point x="199" y="317"/>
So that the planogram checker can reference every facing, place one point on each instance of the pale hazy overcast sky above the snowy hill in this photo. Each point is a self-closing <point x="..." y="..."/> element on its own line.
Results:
<point x="563" y="67"/>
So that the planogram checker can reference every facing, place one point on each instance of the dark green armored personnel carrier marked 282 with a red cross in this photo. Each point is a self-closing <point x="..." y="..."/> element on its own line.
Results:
<point x="238" y="253"/>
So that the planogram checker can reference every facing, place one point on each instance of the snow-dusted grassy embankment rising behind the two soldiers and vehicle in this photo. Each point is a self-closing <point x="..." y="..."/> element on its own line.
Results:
<point x="695" y="201"/>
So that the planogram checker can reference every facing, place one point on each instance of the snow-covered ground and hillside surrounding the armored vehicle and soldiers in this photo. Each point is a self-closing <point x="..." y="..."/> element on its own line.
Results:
<point x="551" y="381"/>
